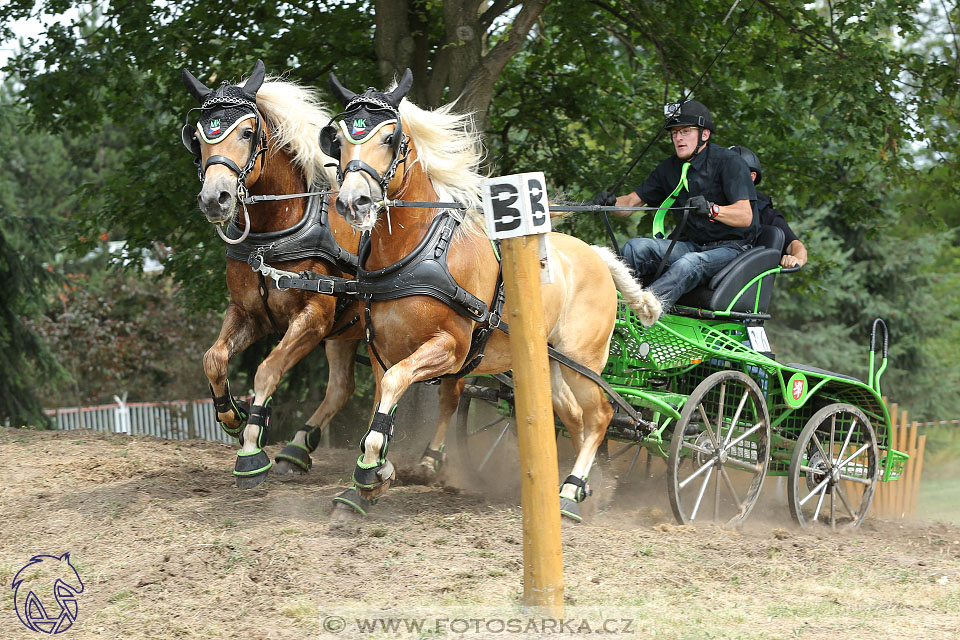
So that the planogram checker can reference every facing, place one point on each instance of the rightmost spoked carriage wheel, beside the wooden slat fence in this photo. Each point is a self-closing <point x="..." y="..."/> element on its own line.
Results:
<point x="834" y="468"/>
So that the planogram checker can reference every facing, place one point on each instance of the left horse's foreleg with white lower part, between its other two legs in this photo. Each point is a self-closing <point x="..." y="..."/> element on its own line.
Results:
<point x="301" y="337"/>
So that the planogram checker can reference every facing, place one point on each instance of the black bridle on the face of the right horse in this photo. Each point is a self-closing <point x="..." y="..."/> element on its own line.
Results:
<point x="330" y="141"/>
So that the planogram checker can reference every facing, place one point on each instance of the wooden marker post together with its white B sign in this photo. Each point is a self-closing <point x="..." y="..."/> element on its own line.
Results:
<point x="515" y="208"/>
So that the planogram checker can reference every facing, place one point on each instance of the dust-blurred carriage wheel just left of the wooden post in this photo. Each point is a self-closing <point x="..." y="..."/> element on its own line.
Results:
<point x="487" y="434"/>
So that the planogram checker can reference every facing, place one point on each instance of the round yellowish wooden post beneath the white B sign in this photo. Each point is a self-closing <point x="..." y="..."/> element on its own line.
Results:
<point x="542" y="555"/>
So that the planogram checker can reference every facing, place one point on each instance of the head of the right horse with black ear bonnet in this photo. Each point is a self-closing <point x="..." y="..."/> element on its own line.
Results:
<point x="369" y="143"/>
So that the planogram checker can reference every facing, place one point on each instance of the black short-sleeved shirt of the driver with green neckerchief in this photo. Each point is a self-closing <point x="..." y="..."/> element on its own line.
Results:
<point x="720" y="176"/>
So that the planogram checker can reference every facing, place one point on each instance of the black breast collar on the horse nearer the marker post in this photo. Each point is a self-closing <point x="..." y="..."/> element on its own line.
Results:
<point x="424" y="272"/>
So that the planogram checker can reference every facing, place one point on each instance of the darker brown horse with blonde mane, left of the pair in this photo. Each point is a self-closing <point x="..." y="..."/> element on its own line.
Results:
<point x="261" y="139"/>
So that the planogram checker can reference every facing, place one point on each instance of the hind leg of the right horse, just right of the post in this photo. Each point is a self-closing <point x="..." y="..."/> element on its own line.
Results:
<point x="579" y="400"/>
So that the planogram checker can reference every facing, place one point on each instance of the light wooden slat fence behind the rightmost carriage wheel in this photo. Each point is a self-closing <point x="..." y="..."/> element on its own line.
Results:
<point x="898" y="500"/>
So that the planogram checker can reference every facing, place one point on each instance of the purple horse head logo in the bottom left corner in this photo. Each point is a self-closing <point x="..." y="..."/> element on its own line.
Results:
<point x="45" y="576"/>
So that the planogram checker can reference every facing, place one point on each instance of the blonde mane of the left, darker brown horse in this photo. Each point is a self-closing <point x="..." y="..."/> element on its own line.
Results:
<point x="296" y="114"/>
